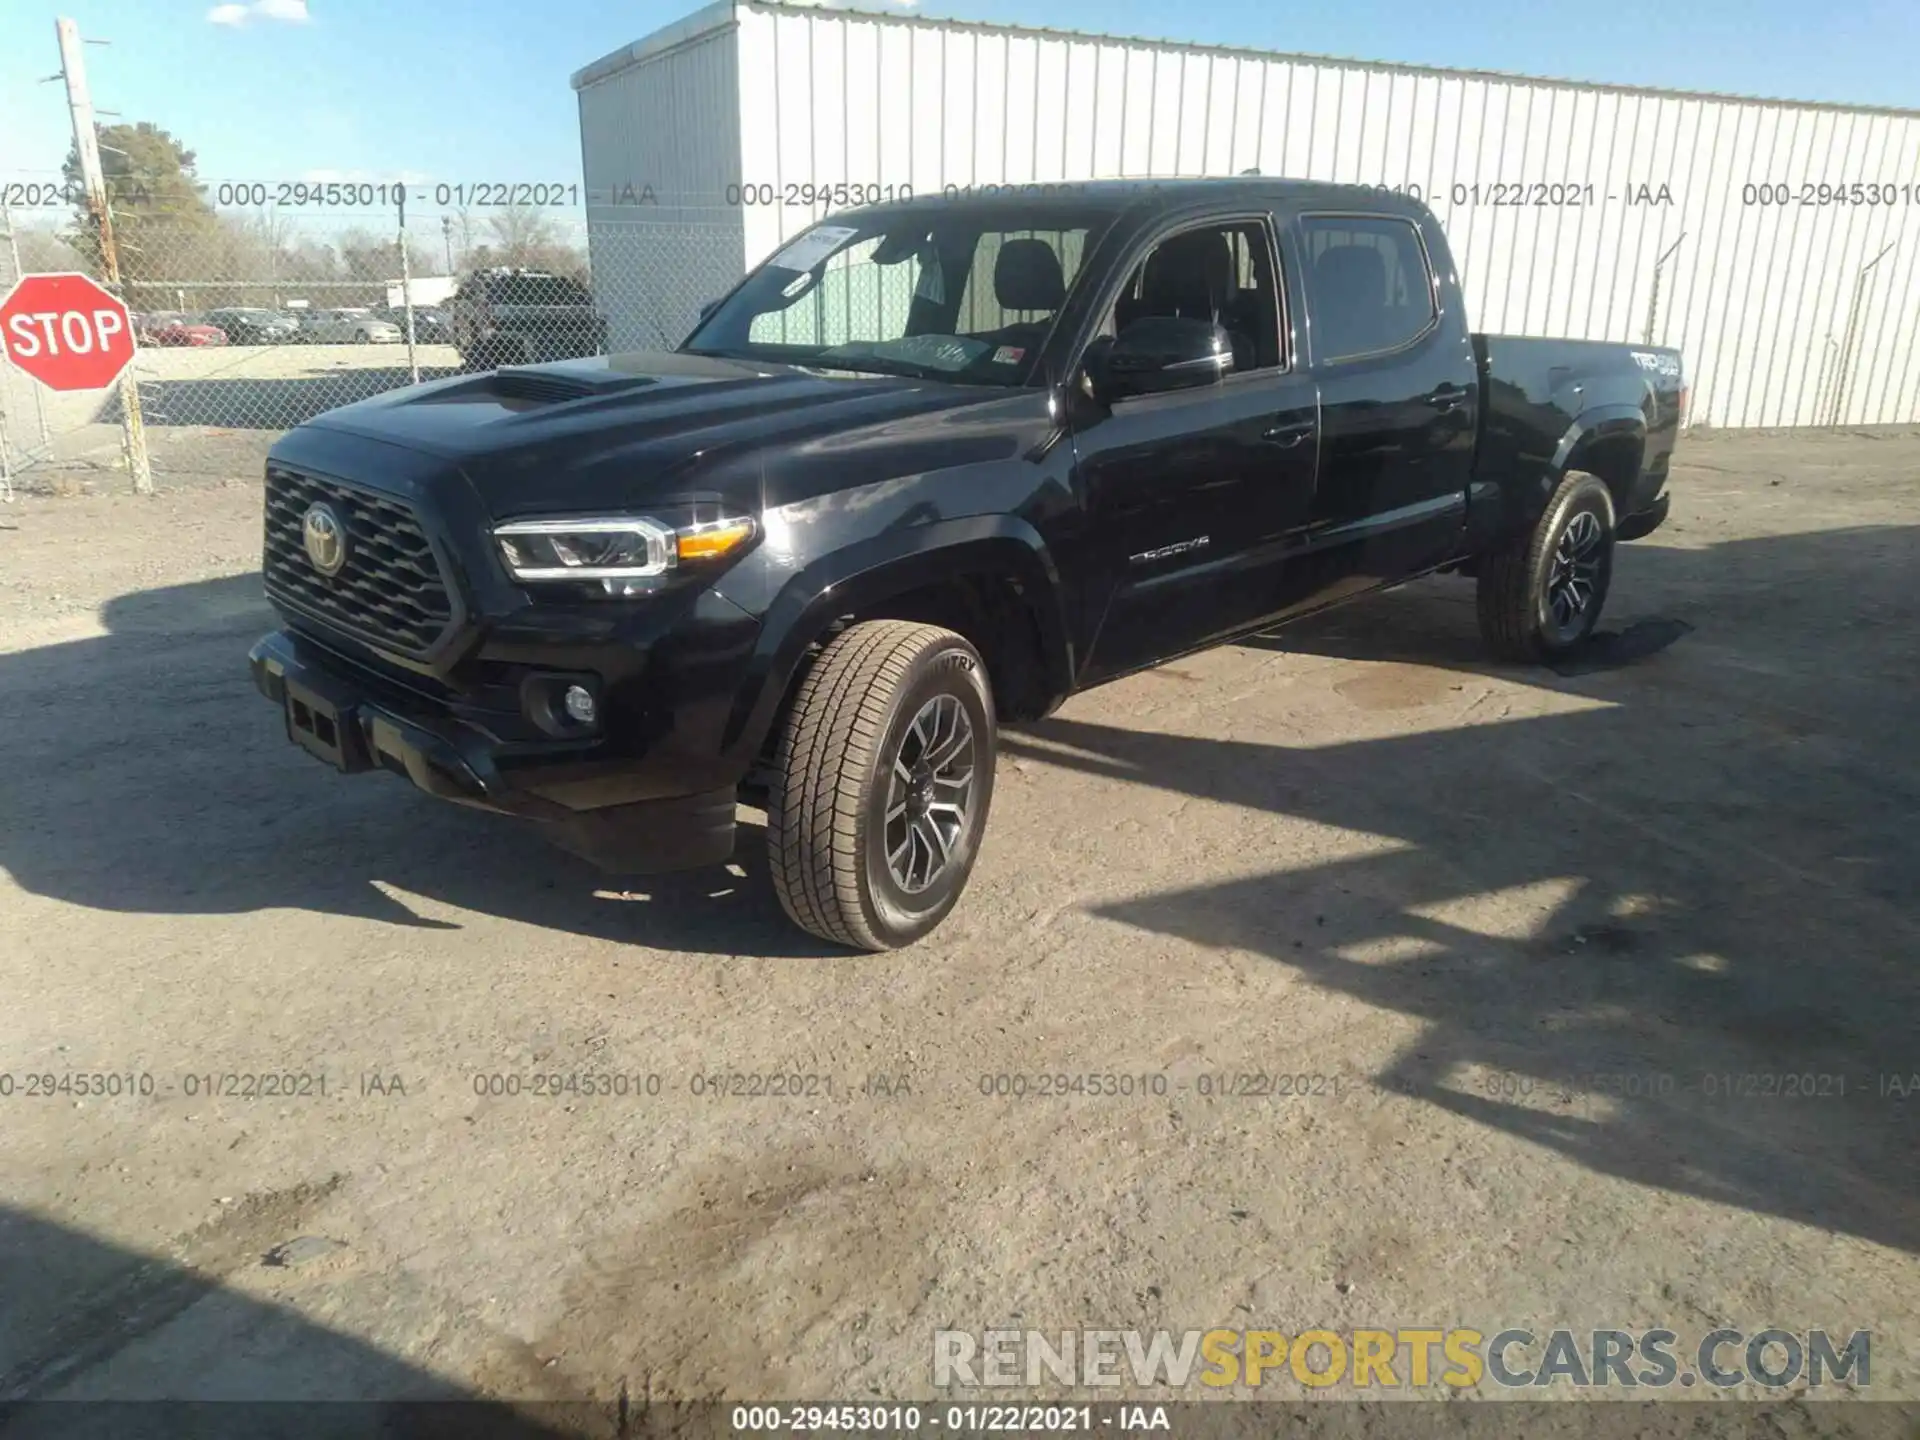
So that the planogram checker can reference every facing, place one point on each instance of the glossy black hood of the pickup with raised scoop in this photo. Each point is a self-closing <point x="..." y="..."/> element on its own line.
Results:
<point x="627" y="429"/>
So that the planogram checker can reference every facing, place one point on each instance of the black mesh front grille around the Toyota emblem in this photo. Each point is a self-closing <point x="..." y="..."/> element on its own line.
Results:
<point x="389" y="594"/>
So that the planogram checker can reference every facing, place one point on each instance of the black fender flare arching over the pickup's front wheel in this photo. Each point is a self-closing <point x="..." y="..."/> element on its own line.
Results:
<point x="894" y="564"/>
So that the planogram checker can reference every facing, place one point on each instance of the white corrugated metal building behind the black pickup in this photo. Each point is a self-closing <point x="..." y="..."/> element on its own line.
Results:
<point x="1775" y="243"/>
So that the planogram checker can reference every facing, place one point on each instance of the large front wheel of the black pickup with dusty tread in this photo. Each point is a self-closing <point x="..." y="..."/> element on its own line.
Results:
<point x="878" y="702"/>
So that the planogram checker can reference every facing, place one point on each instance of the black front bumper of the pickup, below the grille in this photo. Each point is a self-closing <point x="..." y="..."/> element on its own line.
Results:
<point x="356" y="725"/>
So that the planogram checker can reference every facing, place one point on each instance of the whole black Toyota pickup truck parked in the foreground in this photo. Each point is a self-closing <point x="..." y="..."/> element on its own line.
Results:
<point x="932" y="468"/>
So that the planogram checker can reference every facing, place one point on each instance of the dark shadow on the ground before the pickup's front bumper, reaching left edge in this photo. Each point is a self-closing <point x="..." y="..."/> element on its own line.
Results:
<point x="162" y="782"/>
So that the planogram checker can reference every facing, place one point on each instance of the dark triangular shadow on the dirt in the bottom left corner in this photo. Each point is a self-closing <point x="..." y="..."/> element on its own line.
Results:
<point x="105" y="1343"/>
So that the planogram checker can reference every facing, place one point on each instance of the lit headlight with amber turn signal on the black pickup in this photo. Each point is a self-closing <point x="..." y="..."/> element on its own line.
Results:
<point x="615" y="550"/>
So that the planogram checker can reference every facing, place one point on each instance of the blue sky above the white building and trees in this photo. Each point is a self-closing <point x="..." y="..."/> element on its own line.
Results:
<point x="477" y="89"/>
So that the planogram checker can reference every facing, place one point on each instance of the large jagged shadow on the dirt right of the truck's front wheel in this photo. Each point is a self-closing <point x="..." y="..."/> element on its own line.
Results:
<point x="1668" y="932"/>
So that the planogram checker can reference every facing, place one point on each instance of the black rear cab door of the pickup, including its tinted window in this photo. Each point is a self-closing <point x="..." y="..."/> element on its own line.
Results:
<point x="1399" y="393"/>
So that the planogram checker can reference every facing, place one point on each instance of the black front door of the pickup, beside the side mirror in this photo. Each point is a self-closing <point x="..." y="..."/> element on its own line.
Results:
<point x="1197" y="494"/>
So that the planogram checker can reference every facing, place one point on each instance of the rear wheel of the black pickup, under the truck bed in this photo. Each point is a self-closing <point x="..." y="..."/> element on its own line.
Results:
<point x="1543" y="596"/>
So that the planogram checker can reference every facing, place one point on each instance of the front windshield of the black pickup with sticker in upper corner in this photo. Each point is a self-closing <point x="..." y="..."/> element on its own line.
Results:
<point x="948" y="297"/>
